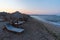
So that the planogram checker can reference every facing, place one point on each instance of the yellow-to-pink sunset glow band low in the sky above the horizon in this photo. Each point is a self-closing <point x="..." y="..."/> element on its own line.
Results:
<point x="26" y="11"/>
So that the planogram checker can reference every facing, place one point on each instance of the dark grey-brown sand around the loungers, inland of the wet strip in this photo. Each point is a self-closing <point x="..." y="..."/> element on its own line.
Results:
<point x="34" y="30"/>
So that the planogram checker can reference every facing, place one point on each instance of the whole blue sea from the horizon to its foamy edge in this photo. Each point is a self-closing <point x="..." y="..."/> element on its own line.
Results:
<point x="53" y="19"/>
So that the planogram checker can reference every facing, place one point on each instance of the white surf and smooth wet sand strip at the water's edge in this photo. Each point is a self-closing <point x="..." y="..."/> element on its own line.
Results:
<point x="50" y="25"/>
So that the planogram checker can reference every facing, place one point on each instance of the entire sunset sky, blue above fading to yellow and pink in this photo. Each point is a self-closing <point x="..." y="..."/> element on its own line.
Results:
<point x="31" y="6"/>
